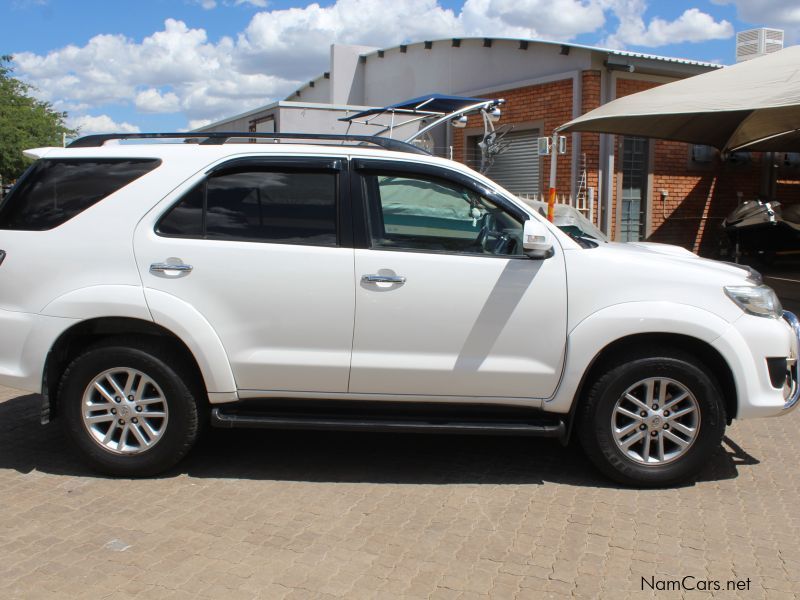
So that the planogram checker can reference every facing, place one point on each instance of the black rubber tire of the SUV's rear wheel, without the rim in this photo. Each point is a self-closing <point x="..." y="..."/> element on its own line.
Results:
<point x="176" y="383"/>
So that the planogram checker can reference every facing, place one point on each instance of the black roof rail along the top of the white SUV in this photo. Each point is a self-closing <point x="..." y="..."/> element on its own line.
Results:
<point x="220" y="137"/>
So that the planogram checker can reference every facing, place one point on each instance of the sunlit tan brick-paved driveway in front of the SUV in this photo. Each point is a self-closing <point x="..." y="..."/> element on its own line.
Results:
<point x="309" y="515"/>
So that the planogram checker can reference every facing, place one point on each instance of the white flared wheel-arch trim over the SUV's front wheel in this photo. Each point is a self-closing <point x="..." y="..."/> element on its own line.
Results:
<point x="588" y="337"/>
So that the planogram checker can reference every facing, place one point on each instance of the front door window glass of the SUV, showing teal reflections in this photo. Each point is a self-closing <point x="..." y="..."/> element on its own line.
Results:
<point x="416" y="213"/>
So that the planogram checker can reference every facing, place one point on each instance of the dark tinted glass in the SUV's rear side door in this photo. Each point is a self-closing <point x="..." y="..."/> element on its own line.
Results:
<point x="296" y="207"/>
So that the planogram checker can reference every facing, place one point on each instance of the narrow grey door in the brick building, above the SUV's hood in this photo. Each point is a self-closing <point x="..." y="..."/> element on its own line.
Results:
<point x="633" y="222"/>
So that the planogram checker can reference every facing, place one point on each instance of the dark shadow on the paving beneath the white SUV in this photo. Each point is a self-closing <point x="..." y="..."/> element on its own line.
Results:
<point x="26" y="446"/>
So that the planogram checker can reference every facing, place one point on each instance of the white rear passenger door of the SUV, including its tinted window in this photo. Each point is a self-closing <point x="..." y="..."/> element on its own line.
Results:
<point x="267" y="264"/>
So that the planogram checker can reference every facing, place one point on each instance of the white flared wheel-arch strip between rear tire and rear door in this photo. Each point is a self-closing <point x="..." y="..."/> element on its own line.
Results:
<point x="201" y="339"/>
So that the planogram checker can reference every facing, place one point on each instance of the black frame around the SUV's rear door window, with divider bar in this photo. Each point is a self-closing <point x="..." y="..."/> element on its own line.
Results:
<point x="336" y="165"/>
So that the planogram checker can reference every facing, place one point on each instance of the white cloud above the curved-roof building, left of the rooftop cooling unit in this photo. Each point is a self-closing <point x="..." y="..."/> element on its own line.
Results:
<point x="691" y="26"/>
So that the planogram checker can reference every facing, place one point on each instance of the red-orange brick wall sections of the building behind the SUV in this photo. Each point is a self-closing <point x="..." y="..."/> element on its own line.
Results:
<point x="698" y="196"/>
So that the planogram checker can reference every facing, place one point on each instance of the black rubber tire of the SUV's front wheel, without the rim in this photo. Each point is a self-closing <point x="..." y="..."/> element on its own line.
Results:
<point x="596" y="413"/>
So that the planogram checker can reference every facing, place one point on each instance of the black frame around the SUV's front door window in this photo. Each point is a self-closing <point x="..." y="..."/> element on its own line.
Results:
<point x="435" y="173"/>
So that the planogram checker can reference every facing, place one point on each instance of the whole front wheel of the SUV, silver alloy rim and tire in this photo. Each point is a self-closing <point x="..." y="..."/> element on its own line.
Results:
<point x="653" y="420"/>
